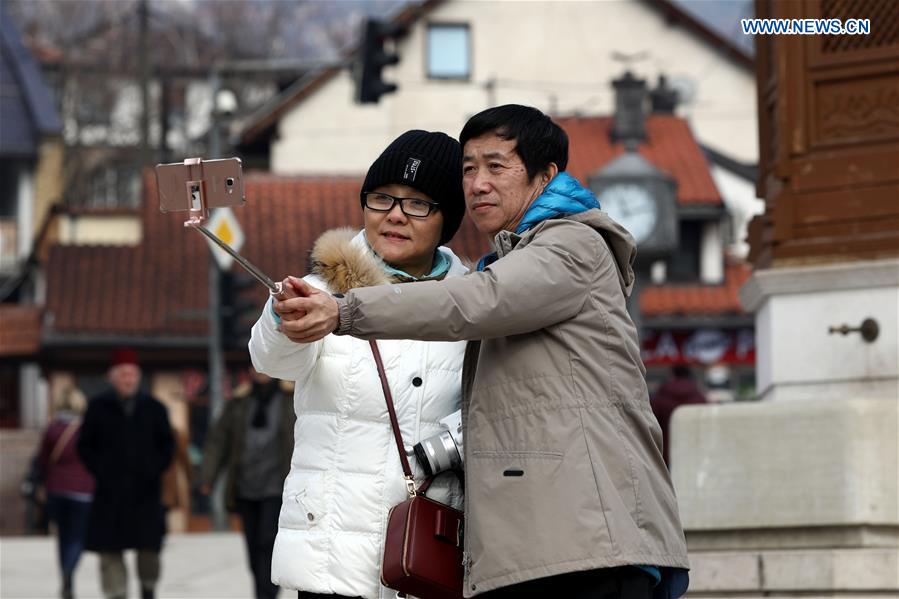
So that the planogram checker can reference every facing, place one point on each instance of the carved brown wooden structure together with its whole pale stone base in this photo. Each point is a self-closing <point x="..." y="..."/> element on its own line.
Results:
<point x="795" y="494"/>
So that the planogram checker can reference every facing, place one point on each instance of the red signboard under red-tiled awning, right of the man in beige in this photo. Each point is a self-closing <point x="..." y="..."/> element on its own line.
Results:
<point x="699" y="346"/>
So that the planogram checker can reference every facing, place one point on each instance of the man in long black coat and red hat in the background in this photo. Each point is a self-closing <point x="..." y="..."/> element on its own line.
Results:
<point x="126" y="443"/>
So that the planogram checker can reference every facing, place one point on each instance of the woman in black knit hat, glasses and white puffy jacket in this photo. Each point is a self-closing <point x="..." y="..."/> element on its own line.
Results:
<point x="345" y="473"/>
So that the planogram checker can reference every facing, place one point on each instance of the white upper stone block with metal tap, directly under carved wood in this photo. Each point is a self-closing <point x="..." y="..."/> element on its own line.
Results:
<point x="795" y="308"/>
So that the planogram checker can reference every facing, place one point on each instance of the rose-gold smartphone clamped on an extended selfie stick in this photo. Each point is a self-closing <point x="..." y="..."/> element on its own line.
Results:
<point x="196" y="185"/>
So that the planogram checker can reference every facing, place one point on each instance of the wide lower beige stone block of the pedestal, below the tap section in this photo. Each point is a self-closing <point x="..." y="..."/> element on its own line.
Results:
<point x="790" y="498"/>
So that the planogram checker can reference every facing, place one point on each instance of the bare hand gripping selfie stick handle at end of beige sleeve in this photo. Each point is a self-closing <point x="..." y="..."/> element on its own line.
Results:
<point x="307" y="314"/>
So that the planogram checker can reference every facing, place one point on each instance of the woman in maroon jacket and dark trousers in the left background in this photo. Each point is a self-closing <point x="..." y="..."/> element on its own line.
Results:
<point x="70" y="486"/>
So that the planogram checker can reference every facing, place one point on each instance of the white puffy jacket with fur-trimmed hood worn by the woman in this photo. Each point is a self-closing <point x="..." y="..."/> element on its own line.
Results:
<point x="345" y="473"/>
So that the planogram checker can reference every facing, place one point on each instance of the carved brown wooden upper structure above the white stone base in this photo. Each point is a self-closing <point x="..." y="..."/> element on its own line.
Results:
<point x="829" y="137"/>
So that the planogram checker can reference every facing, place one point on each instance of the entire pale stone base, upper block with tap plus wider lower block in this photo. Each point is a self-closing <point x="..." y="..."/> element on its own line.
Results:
<point x="798" y="494"/>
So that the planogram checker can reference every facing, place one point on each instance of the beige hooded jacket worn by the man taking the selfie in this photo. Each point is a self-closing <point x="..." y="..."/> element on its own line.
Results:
<point x="563" y="455"/>
